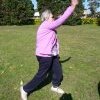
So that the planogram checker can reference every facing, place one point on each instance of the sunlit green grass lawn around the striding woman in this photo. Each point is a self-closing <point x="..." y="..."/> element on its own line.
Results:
<point x="81" y="72"/>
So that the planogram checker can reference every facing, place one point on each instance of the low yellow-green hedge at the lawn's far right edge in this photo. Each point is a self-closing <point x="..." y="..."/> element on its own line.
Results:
<point x="95" y="21"/>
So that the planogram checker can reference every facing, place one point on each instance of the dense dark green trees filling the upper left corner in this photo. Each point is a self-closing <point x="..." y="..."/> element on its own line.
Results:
<point x="16" y="11"/>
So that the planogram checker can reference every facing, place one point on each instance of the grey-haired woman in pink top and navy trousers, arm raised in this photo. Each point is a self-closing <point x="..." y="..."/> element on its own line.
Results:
<point x="47" y="51"/>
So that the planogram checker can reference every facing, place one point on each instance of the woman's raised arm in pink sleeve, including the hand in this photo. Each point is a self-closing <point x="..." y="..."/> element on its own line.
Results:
<point x="64" y="17"/>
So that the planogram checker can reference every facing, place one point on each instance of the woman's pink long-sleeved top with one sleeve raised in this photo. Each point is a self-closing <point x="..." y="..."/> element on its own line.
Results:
<point x="46" y="42"/>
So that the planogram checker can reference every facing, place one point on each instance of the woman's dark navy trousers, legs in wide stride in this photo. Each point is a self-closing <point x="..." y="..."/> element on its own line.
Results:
<point x="46" y="64"/>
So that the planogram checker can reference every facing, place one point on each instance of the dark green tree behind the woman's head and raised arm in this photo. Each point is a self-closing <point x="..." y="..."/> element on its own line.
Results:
<point x="59" y="6"/>
